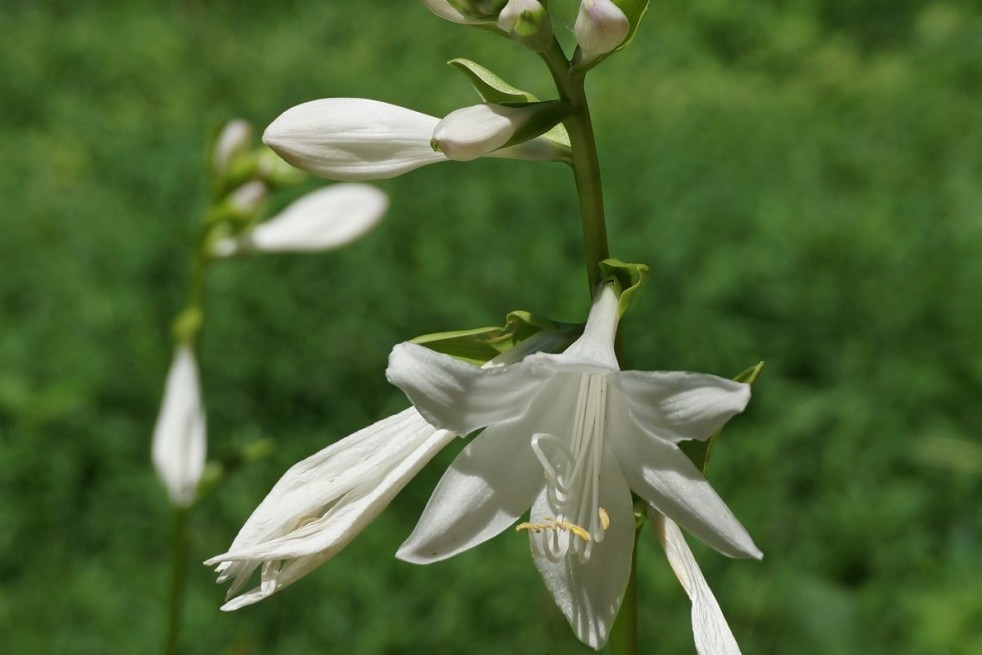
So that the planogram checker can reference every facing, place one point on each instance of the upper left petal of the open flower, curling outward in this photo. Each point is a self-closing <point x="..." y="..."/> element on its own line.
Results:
<point x="461" y="397"/>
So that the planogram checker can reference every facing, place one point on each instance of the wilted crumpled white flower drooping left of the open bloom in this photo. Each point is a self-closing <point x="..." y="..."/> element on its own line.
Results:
<point x="325" y="501"/>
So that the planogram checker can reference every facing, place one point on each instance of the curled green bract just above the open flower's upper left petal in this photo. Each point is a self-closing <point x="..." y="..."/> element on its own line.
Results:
<point x="479" y="345"/>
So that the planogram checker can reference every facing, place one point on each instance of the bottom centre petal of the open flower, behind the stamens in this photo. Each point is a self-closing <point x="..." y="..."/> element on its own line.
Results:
<point x="590" y="594"/>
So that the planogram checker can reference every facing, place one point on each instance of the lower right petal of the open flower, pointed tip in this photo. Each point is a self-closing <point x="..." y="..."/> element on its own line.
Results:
<point x="661" y="474"/>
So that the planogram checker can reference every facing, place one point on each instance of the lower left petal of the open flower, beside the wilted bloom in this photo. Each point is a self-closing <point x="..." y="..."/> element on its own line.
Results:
<point x="486" y="489"/>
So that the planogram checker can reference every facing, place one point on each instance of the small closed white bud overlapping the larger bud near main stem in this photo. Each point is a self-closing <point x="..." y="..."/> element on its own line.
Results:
<point x="472" y="132"/>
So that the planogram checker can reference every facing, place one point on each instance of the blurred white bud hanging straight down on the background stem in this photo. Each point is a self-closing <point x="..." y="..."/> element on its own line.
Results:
<point x="179" y="442"/>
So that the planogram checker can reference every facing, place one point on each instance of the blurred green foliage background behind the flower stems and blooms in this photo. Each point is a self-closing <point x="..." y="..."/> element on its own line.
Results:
<point x="804" y="179"/>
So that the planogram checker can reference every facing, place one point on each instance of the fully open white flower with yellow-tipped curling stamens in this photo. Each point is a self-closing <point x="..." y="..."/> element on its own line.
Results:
<point x="570" y="436"/>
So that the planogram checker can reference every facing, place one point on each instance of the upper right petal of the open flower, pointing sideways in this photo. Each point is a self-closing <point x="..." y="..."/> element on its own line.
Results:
<point x="678" y="406"/>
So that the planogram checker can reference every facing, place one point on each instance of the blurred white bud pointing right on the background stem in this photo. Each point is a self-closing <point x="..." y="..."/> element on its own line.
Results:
<point x="324" y="219"/>
